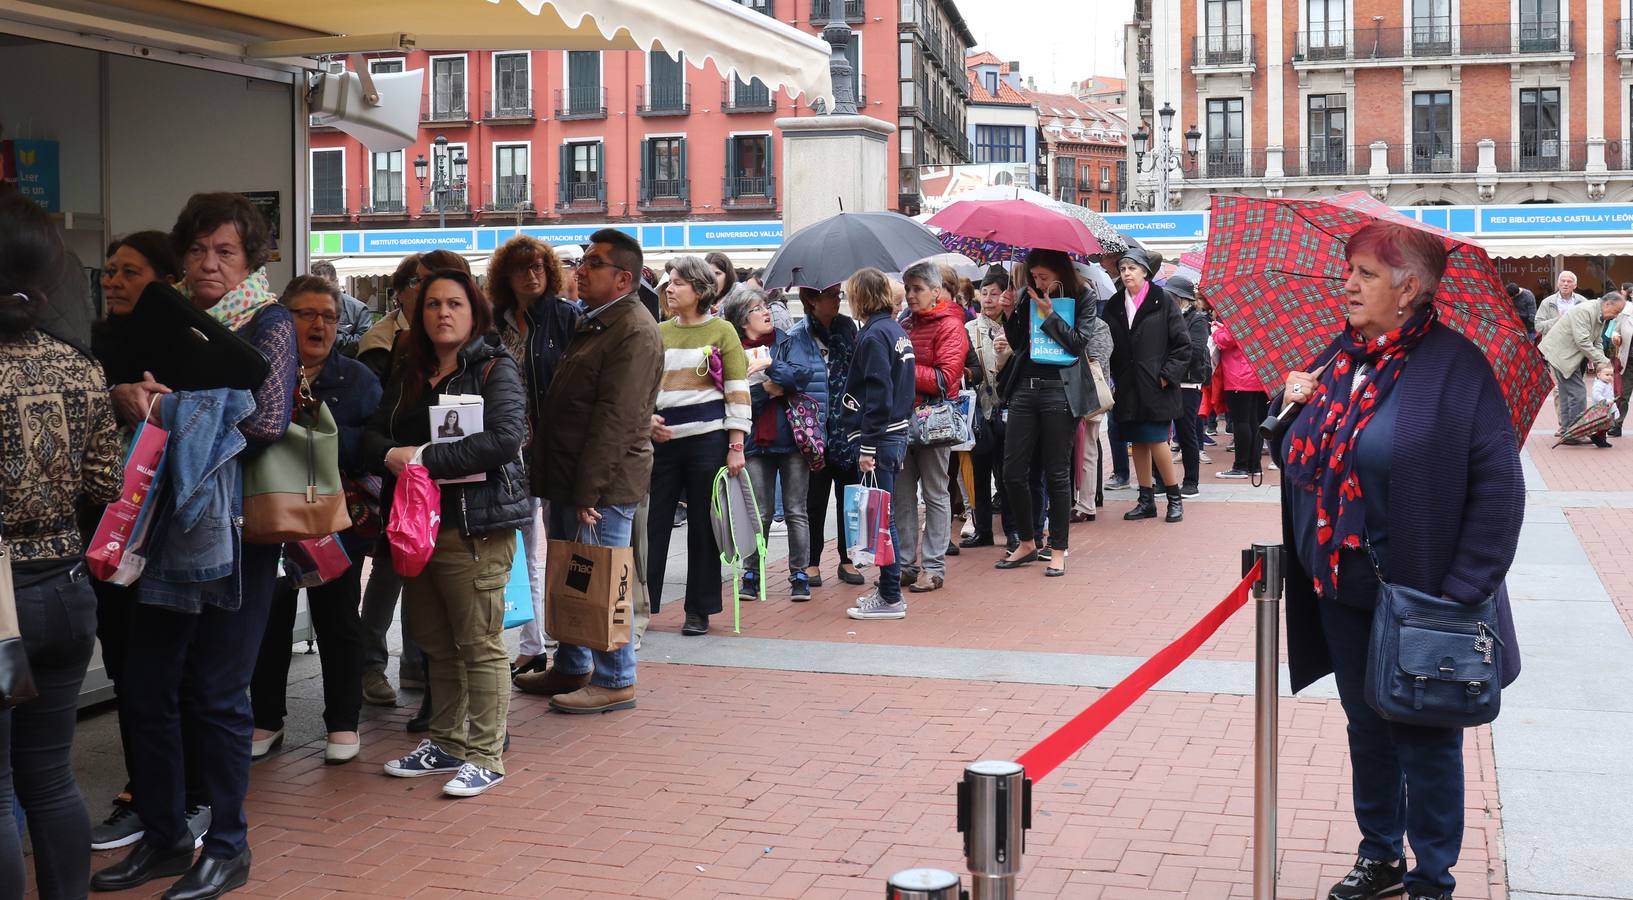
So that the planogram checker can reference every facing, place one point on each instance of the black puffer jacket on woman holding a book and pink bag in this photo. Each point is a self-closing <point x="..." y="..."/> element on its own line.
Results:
<point x="502" y="501"/>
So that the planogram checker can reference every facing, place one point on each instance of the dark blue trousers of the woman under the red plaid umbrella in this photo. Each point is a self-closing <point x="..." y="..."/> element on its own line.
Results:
<point x="1408" y="780"/>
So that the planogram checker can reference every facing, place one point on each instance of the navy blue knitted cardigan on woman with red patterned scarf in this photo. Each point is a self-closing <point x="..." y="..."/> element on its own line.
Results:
<point x="1457" y="499"/>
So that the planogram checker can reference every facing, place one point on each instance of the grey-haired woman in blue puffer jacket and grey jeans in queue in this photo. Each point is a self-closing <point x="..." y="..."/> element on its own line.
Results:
<point x="780" y="372"/>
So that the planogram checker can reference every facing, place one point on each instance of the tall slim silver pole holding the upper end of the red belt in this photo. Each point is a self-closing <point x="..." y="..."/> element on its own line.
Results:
<point x="1268" y="592"/>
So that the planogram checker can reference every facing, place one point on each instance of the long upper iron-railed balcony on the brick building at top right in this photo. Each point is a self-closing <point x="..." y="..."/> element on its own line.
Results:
<point x="1433" y="40"/>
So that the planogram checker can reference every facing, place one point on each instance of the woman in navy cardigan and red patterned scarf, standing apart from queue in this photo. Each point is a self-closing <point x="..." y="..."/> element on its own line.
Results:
<point x="1405" y="447"/>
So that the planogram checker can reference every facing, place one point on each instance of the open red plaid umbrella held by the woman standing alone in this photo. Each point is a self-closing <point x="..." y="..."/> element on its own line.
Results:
<point x="1276" y="274"/>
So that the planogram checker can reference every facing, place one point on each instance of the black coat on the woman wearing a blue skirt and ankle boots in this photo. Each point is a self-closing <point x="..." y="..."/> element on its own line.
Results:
<point x="1150" y="359"/>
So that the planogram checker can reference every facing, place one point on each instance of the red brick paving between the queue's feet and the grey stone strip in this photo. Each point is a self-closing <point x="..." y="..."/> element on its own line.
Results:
<point x="1129" y="590"/>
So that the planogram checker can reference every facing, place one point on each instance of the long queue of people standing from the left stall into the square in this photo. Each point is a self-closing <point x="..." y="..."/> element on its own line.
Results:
<point x="613" y="398"/>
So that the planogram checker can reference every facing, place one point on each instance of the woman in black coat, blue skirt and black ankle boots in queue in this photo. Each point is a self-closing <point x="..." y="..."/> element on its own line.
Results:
<point x="1150" y="355"/>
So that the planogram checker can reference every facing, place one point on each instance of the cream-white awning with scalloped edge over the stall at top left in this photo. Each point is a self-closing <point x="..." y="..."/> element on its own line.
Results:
<point x="734" y="37"/>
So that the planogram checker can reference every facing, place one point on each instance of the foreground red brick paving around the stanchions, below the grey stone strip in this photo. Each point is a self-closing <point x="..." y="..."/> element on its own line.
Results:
<point x="781" y="785"/>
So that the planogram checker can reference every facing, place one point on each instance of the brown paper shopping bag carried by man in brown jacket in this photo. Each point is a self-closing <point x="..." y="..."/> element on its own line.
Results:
<point x="587" y="594"/>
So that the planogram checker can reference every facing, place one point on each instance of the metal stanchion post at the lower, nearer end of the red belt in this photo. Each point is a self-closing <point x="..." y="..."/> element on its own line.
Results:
<point x="995" y="809"/>
